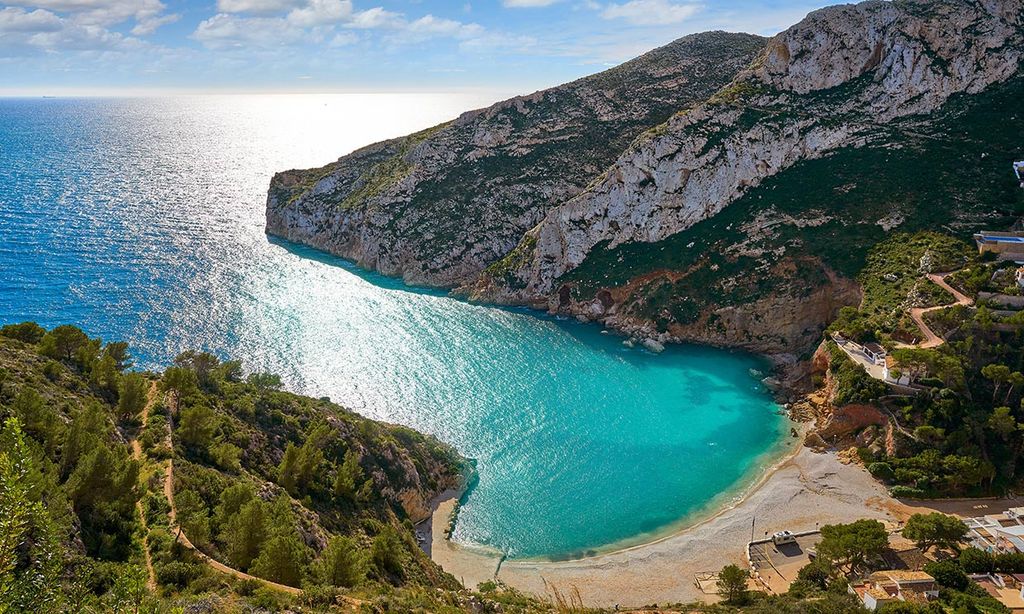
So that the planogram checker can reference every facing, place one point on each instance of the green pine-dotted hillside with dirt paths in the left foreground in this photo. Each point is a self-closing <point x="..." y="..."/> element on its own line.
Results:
<point x="290" y="490"/>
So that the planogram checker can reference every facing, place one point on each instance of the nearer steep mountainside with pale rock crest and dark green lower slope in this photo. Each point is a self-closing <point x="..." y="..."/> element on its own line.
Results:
<point x="728" y="224"/>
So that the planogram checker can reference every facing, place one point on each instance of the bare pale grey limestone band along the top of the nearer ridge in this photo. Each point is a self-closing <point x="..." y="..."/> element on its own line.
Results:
<point x="833" y="81"/>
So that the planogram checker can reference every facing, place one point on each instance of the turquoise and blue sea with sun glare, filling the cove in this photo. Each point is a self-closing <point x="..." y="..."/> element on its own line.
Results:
<point x="143" y="221"/>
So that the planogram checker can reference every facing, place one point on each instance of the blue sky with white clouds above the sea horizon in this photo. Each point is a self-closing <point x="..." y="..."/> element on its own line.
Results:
<point x="108" y="47"/>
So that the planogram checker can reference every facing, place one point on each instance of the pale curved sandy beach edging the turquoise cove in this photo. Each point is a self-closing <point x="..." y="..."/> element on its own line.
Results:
<point x="806" y="491"/>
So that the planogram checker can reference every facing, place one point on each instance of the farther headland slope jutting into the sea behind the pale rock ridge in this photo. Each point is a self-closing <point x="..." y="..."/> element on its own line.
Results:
<point x="440" y="206"/>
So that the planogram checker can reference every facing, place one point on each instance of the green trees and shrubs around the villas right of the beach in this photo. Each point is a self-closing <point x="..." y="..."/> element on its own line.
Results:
<point x="961" y="434"/>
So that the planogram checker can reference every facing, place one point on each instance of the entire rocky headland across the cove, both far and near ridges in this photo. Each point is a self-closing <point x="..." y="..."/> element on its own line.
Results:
<point x="740" y="221"/>
